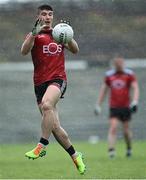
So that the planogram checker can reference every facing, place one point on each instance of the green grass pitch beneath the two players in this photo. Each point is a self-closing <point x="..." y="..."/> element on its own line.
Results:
<point x="58" y="165"/>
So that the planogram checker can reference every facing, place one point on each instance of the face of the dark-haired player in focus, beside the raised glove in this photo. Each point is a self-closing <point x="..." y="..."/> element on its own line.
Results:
<point x="47" y="17"/>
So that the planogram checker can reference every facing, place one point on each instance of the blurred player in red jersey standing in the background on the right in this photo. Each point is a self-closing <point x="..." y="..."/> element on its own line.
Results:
<point x="119" y="81"/>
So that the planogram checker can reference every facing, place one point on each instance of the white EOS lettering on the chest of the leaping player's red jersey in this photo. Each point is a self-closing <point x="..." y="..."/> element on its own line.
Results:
<point x="52" y="48"/>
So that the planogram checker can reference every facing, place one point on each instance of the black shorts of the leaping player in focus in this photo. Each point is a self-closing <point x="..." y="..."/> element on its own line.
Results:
<point x="41" y="89"/>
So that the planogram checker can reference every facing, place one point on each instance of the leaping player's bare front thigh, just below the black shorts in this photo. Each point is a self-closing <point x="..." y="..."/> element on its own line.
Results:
<point x="52" y="95"/>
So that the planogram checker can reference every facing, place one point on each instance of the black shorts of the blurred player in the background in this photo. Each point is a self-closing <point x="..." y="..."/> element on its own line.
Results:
<point x="123" y="114"/>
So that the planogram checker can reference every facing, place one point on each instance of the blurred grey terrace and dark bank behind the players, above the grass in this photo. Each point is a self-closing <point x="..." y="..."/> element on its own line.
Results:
<point x="102" y="29"/>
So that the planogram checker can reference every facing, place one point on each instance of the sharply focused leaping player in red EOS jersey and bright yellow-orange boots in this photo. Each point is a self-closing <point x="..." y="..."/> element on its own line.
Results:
<point x="49" y="82"/>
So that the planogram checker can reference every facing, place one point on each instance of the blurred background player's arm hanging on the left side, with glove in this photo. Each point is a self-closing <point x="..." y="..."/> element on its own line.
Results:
<point x="102" y="94"/>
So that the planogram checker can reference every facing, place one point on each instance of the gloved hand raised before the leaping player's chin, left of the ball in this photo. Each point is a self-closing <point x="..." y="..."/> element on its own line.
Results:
<point x="39" y="25"/>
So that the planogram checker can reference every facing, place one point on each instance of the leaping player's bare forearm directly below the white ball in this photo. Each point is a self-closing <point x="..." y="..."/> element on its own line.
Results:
<point x="72" y="46"/>
